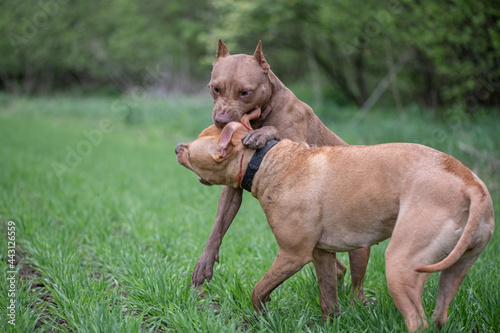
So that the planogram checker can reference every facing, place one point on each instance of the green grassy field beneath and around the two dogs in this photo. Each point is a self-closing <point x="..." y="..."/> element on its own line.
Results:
<point x="108" y="227"/>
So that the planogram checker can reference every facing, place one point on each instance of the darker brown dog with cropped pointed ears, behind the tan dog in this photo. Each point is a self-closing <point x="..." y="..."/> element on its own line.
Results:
<point x="240" y="84"/>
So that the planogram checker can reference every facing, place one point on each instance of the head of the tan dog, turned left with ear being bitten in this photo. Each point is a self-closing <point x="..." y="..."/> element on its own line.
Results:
<point x="215" y="155"/>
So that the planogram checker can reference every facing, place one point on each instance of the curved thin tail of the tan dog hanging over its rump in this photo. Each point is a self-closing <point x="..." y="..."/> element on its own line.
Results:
<point x="478" y="202"/>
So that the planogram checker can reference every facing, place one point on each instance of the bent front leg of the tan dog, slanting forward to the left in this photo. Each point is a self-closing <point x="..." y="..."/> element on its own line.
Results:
<point x="284" y="266"/>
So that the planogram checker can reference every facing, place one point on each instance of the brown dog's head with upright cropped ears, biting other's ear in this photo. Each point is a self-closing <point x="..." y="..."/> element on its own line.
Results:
<point x="239" y="84"/>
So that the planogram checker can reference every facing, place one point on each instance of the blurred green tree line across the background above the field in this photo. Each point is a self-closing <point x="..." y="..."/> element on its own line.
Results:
<point x="397" y="52"/>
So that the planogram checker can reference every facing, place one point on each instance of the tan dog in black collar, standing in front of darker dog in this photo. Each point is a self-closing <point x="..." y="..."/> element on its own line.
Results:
<point x="438" y="213"/>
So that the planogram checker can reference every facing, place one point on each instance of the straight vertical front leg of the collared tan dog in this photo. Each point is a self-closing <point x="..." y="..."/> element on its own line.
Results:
<point x="326" y="271"/>
